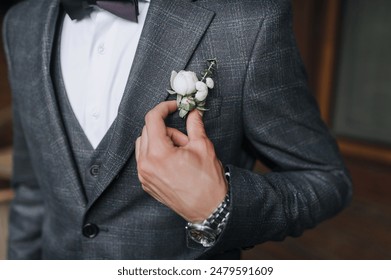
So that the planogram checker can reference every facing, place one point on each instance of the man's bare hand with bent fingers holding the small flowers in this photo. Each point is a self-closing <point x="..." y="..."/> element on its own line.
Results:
<point x="181" y="171"/>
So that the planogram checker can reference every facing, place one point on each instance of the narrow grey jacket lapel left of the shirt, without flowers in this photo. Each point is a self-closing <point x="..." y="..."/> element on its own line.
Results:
<point x="51" y="116"/>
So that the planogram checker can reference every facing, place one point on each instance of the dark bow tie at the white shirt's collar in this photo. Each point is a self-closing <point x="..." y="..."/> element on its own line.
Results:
<point x="78" y="9"/>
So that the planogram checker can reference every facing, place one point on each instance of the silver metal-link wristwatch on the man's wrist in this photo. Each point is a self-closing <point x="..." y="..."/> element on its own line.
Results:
<point x="207" y="231"/>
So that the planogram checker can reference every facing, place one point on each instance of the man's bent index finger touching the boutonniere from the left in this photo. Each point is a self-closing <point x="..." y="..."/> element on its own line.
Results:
<point x="154" y="120"/>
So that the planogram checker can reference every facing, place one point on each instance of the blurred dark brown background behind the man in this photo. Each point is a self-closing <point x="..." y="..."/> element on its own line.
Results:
<point x="346" y="47"/>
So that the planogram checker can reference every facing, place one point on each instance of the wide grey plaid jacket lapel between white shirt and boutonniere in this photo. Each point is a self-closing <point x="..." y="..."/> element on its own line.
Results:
<point x="171" y="33"/>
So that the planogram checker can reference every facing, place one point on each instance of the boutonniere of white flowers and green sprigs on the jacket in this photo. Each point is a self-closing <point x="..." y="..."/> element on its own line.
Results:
<point x="192" y="92"/>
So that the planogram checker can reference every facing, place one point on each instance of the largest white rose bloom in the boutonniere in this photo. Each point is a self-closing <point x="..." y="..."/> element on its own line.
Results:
<point x="183" y="83"/>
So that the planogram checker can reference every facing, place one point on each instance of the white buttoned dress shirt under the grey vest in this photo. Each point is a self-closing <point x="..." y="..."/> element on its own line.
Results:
<point x="97" y="53"/>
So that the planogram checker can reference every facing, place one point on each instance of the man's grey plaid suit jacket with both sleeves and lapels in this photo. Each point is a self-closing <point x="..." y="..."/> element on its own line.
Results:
<point x="260" y="108"/>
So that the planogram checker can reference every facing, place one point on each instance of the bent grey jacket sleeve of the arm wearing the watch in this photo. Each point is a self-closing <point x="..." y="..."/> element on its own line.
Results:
<point x="308" y="181"/>
